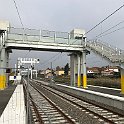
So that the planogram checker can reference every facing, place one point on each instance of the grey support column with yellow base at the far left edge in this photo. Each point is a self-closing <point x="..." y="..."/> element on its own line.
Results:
<point x="2" y="71"/>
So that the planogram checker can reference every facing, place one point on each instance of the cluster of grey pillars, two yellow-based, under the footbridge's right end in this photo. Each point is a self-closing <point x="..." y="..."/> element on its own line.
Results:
<point x="78" y="69"/>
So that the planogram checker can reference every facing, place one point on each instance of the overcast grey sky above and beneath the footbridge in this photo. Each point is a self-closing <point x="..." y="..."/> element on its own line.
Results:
<point x="65" y="15"/>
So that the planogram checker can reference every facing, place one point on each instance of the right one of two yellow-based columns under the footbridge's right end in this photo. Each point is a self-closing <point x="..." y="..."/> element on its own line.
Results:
<point x="84" y="70"/>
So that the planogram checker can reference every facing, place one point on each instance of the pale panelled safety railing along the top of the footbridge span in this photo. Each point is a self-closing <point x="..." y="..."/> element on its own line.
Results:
<point x="41" y="36"/>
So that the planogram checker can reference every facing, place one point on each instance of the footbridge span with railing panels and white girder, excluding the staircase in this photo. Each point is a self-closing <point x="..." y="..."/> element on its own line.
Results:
<point x="32" y="39"/>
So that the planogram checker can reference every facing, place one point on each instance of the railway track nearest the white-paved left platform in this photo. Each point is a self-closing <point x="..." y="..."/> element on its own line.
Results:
<point x="45" y="111"/>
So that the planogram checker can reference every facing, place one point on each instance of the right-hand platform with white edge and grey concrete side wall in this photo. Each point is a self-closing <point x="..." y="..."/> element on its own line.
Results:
<point x="110" y="98"/>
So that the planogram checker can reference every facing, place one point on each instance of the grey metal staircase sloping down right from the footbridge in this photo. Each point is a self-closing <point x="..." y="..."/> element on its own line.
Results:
<point x="107" y="51"/>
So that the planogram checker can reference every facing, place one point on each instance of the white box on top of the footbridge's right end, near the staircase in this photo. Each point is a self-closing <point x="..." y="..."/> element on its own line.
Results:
<point x="77" y="34"/>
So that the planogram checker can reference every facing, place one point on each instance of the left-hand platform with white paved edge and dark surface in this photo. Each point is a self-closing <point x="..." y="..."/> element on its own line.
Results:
<point x="12" y="105"/>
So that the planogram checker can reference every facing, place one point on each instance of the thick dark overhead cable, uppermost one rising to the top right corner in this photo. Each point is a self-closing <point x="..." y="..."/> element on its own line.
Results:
<point x="105" y="19"/>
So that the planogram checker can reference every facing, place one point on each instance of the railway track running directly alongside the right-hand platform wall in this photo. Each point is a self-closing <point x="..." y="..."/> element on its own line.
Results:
<point x="95" y="112"/>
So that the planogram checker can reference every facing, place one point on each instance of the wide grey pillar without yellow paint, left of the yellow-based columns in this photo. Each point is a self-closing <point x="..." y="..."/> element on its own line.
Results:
<point x="72" y="69"/>
